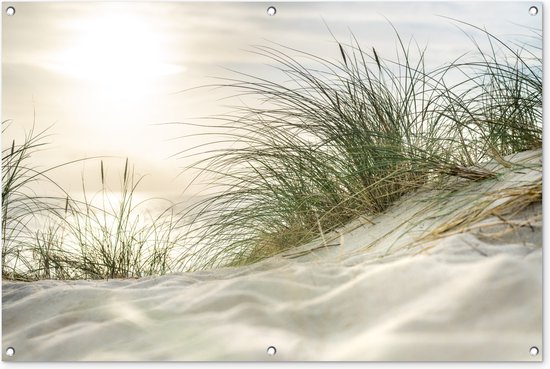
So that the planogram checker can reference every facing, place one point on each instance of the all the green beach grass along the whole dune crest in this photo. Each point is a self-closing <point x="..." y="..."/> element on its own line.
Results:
<point x="341" y="139"/>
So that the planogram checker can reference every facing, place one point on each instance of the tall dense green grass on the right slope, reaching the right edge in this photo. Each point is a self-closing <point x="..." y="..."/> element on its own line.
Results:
<point x="343" y="138"/>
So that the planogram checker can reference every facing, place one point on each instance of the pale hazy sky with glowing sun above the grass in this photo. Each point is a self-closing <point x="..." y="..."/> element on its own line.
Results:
<point x="106" y="76"/>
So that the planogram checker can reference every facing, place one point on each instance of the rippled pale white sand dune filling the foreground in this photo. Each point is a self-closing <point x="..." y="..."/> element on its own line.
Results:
<point x="474" y="294"/>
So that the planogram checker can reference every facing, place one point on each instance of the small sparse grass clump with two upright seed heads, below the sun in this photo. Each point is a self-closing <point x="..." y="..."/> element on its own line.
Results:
<point x="118" y="239"/>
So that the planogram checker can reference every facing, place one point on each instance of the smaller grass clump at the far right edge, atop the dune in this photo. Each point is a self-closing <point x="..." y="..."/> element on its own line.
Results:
<point x="499" y="104"/>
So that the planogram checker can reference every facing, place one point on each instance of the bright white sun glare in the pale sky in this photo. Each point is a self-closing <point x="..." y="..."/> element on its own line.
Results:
<point x="122" y="55"/>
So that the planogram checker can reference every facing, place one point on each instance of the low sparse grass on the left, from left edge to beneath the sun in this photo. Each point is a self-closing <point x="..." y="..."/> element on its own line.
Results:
<point x="107" y="235"/>
